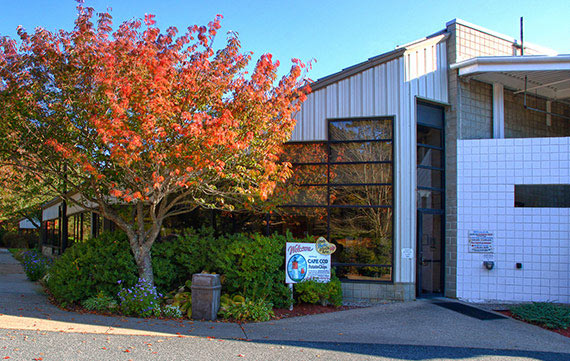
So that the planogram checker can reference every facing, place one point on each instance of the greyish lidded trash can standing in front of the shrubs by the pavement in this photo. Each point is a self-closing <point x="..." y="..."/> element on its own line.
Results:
<point x="206" y="290"/>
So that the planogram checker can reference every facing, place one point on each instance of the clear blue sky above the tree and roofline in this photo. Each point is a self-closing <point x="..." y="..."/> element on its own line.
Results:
<point x="336" y="33"/>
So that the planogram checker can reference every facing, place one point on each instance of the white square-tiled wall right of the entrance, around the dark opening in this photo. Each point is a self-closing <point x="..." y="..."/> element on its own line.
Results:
<point x="539" y="238"/>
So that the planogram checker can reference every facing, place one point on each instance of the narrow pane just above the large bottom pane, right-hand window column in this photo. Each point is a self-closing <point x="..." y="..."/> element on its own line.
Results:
<point x="361" y="195"/>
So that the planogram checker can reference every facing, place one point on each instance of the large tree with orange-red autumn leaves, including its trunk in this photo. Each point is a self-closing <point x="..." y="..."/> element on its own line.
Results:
<point x="145" y="124"/>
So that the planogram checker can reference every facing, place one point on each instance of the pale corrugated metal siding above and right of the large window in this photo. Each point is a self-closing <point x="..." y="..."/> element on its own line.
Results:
<point x="388" y="89"/>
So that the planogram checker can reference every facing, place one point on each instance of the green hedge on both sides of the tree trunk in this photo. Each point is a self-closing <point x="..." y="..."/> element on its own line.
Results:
<point x="249" y="264"/>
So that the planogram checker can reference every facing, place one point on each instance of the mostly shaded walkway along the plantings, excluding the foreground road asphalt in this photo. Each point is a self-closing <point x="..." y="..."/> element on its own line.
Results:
<point x="23" y="306"/>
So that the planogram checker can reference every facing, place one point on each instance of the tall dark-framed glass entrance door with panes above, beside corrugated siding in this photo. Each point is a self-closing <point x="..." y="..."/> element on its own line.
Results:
<point x="430" y="200"/>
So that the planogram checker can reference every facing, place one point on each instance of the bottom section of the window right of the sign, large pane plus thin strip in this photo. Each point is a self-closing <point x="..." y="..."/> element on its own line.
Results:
<point x="362" y="236"/>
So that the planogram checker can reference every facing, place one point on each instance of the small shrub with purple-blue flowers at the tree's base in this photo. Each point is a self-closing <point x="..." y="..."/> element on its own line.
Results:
<point x="141" y="300"/>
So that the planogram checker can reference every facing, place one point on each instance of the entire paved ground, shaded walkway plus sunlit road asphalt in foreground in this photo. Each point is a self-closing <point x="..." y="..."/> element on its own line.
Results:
<point x="32" y="328"/>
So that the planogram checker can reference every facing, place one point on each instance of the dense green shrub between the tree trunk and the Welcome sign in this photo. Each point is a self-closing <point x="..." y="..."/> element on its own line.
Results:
<point x="250" y="265"/>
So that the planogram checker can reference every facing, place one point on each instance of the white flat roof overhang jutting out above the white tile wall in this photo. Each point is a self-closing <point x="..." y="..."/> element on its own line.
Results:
<point x="546" y="76"/>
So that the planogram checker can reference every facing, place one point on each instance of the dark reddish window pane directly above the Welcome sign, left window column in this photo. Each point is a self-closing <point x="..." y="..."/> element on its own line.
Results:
<point x="301" y="222"/>
